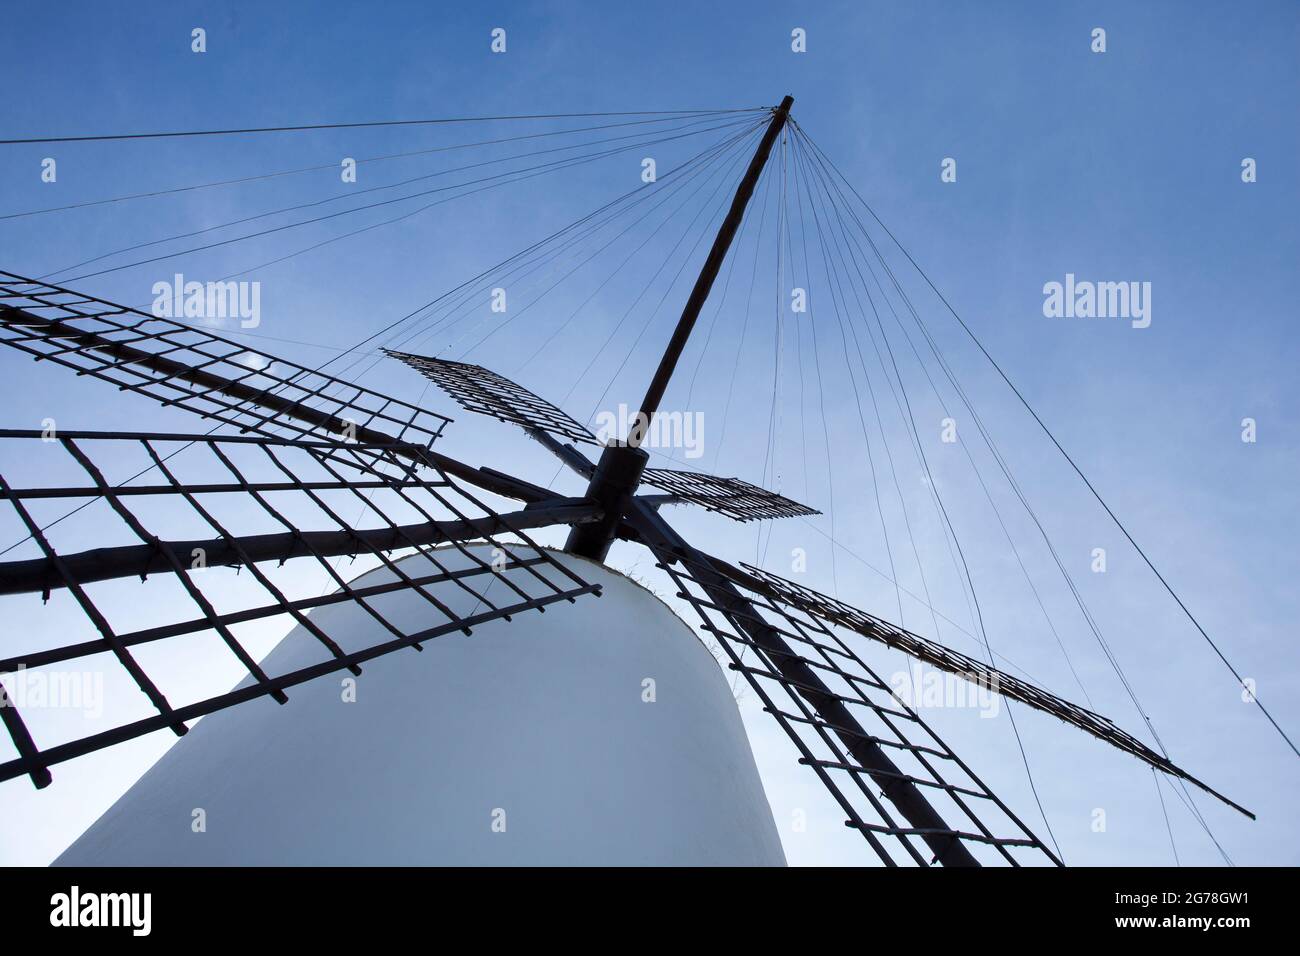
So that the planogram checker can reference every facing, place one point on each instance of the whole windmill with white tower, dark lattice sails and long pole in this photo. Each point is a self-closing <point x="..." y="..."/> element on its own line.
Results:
<point x="292" y="442"/>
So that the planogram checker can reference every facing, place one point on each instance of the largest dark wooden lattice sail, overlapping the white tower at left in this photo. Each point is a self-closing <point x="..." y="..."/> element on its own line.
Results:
<point x="276" y="509"/>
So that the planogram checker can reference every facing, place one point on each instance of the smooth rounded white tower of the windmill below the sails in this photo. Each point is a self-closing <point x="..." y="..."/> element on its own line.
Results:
<point x="528" y="742"/>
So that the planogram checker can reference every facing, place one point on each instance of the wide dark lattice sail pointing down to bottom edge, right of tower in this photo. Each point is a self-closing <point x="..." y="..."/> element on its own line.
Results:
<point x="865" y="745"/>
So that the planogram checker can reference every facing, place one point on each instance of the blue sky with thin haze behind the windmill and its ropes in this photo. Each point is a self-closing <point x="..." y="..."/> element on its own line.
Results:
<point x="1115" y="167"/>
